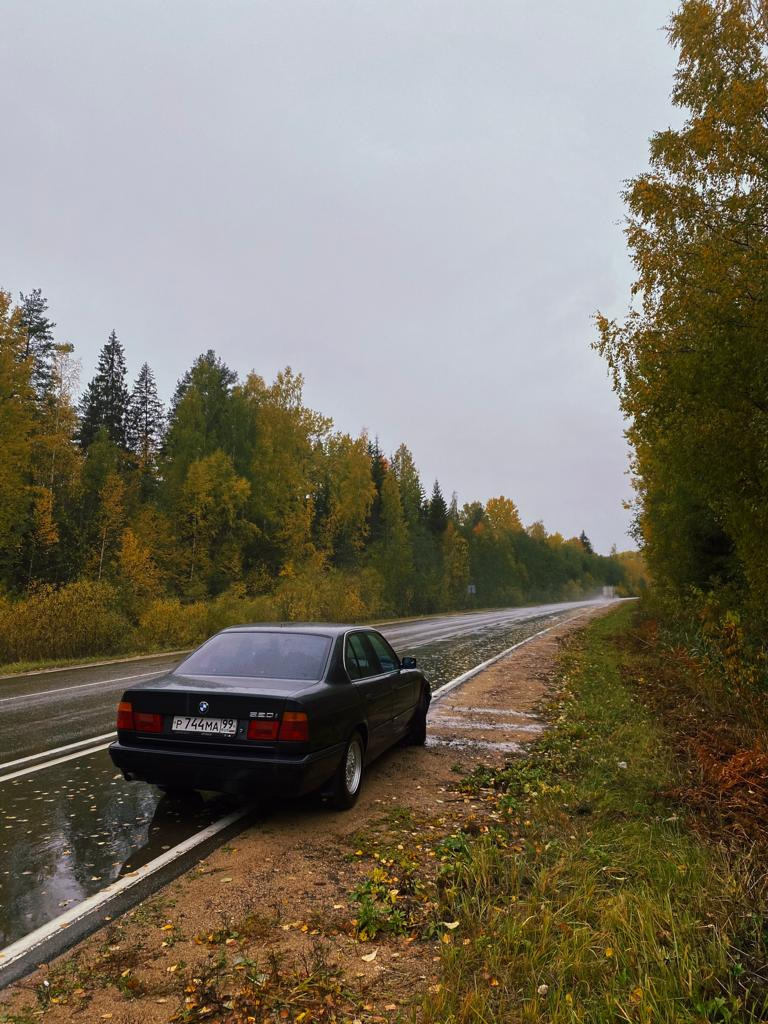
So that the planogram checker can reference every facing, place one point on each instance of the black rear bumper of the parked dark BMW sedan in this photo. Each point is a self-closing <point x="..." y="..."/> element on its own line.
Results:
<point x="227" y="774"/>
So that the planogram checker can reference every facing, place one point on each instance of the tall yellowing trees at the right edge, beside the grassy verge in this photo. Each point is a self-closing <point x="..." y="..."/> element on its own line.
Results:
<point x="691" y="359"/>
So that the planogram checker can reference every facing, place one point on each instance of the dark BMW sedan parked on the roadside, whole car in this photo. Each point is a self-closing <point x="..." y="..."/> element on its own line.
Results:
<point x="274" y="711"/>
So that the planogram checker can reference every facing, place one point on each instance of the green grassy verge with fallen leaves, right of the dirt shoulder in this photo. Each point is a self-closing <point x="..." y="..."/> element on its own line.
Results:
<point x="593" y="901"/>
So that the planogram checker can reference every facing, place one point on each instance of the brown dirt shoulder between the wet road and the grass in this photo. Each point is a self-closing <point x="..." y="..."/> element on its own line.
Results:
<point x="280" y="894"/>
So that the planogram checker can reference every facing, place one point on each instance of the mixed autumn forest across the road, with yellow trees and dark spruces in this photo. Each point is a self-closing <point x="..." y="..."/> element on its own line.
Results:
<point x="125" y="525"/>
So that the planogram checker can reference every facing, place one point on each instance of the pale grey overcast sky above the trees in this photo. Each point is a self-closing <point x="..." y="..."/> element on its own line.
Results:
<point x="415" y="204"/>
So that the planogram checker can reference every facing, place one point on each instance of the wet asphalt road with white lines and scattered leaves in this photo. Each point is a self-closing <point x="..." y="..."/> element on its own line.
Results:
<point x="69" y="828"/>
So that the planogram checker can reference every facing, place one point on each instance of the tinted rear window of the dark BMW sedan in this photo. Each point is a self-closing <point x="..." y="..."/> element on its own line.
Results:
<point x="261" y="656"/>
